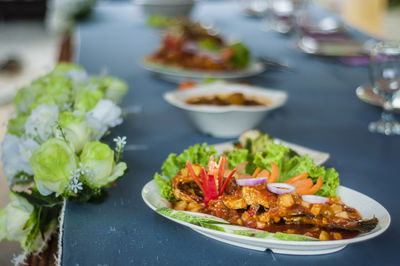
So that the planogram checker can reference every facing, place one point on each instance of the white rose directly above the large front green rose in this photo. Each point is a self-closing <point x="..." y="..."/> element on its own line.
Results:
<point x="40" y="124"/>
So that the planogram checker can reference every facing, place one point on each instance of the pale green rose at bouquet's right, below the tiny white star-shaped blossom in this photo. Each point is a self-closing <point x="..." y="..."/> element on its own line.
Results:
<point x="99" y="158"/>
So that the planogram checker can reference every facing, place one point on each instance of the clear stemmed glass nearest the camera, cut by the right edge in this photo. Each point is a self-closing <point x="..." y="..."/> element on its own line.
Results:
<point x="385" y="76"/>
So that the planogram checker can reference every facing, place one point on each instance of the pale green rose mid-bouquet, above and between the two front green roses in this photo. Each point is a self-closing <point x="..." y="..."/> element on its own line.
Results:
<point x="76" y="129"/>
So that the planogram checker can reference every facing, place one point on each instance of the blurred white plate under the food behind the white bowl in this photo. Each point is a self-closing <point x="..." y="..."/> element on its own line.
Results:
<point x="176" y="75"/>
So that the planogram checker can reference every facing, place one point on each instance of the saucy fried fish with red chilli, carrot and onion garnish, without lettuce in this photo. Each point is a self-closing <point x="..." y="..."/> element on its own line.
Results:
<point x="257" y="201"/>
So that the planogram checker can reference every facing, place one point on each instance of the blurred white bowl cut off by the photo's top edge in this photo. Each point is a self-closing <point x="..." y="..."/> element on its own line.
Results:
<point x="169" y="8"/>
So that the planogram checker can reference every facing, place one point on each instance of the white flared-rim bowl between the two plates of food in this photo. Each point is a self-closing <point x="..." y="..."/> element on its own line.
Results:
<point x="225" y="121"/>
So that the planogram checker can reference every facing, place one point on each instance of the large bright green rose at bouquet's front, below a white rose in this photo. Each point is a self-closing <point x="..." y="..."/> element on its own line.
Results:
<point x="52" y="164"/>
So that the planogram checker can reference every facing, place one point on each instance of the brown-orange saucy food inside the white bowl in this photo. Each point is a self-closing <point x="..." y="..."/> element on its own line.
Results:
<point x="229" y="99"/>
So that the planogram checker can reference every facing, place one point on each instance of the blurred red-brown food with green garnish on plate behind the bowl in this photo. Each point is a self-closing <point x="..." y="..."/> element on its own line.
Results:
<point x="191" y="46"/>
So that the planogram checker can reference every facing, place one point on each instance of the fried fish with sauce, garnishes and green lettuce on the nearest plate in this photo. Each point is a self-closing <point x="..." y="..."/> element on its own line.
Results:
<point x="262" y="185"/>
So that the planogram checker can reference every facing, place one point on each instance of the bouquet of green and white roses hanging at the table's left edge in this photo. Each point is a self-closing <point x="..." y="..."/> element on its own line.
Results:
<point x="52" y="150"/>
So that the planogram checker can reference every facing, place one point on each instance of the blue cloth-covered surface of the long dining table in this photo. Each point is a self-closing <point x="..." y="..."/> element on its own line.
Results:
<point x="323" y="112"/>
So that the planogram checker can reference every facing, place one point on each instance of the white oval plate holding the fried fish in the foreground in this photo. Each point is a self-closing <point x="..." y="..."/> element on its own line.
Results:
<point x="365" y="205"/>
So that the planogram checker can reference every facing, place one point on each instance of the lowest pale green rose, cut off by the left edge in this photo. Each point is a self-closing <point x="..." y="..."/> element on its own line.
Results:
<point x="14" y="218"/>
